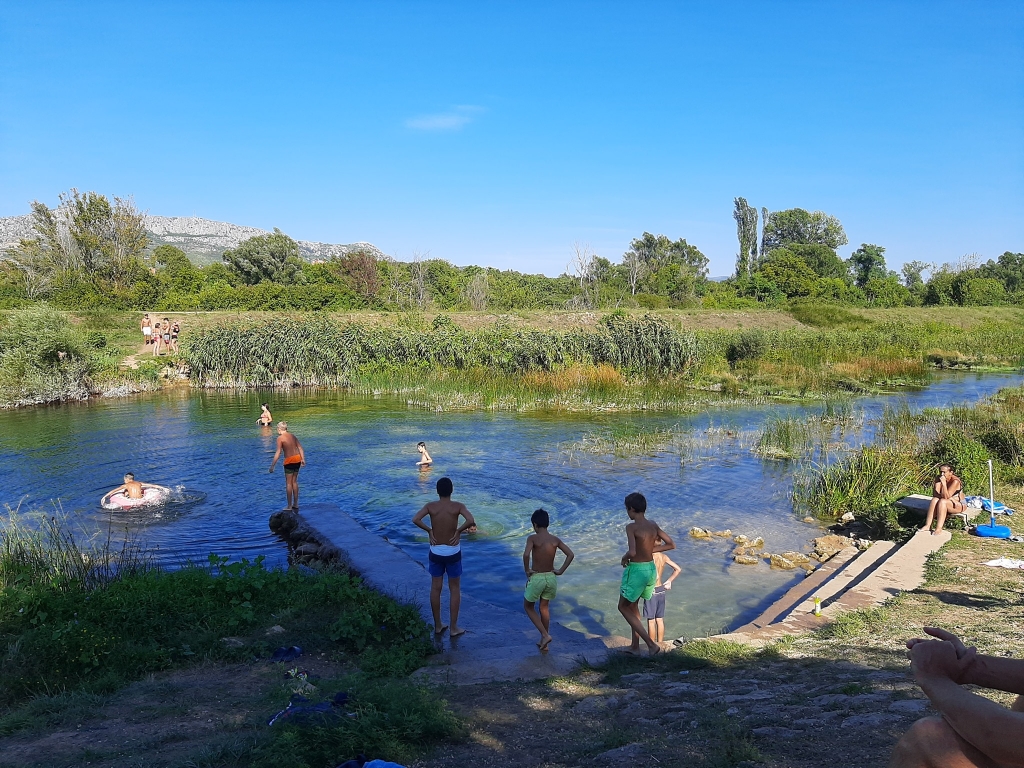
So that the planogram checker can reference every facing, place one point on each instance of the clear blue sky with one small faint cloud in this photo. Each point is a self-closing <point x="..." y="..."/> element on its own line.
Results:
<point x="501" y="134"/>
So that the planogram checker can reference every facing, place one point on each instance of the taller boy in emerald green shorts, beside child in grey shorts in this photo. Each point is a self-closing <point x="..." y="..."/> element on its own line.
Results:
<point x="645" y="538"/>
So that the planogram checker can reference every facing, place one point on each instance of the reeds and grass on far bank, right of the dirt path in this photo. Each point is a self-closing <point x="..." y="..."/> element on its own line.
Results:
<point x="623" y="361"/>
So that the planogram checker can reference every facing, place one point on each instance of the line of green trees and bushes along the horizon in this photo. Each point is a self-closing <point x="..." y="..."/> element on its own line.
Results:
<point x="90" y="253"/>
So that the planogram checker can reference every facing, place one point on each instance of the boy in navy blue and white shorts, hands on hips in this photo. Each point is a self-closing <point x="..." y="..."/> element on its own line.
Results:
<point x="446" y="551"/>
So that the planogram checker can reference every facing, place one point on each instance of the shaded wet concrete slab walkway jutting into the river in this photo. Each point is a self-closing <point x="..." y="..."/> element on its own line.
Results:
<point x="499" y="645"/>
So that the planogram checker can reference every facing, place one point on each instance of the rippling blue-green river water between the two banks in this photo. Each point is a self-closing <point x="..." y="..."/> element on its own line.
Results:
<point x="362" y="457"/>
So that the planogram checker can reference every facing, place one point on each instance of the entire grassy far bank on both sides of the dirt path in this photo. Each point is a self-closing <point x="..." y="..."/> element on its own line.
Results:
<point x="625" y="361"/>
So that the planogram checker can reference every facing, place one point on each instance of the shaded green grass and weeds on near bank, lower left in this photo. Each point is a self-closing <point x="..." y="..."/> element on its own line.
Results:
<point x="80" y="625"/>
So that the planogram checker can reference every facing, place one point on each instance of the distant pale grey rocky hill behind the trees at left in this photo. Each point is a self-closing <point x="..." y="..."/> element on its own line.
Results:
<point x="203" y="240"/>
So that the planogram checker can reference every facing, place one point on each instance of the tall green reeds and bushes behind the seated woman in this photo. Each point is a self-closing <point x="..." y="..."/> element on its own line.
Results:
<point x="905" y="459"/>
